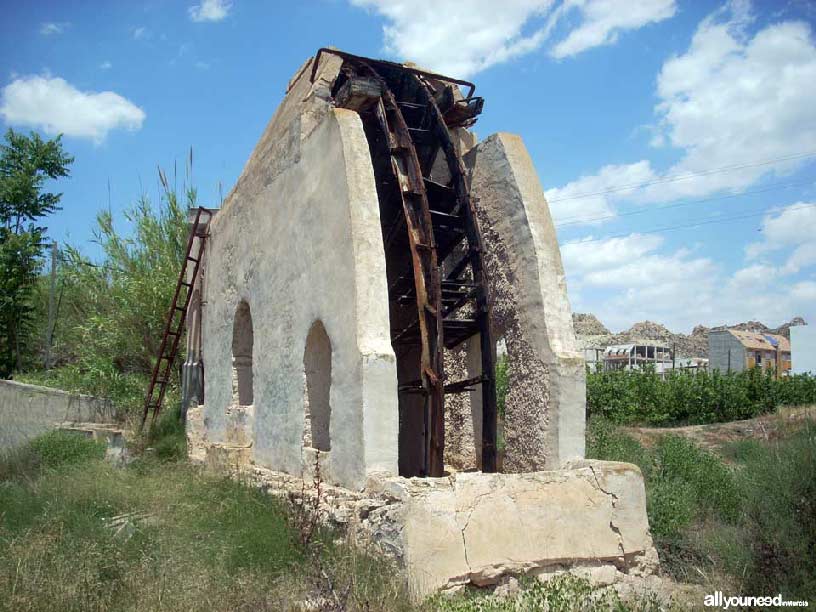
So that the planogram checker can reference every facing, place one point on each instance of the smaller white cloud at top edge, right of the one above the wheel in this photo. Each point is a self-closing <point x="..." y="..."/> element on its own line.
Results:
<point x="603" y="20"/>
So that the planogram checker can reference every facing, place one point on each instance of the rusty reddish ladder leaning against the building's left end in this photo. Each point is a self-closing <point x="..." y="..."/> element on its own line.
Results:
<point x="174" y="327"/>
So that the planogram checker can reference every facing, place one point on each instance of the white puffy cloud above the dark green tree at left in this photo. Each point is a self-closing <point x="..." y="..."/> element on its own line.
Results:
<point x="55" y="106"/>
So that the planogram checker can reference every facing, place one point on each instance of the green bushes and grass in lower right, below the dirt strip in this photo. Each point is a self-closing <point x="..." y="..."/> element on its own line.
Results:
<point x="751" y="526"/>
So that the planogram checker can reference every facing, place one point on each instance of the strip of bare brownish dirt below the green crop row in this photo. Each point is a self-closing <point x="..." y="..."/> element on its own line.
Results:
<point x="713" y="437"/>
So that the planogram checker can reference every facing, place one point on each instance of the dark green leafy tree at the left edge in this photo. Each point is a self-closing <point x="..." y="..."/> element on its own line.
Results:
<point x="26" y="163"/>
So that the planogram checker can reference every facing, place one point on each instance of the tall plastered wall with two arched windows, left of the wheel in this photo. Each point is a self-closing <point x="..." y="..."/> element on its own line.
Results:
<point x="298" y="242"/>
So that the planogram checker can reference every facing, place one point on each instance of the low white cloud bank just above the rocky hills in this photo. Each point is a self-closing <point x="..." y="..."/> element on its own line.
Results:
<point x="625" y="280"/>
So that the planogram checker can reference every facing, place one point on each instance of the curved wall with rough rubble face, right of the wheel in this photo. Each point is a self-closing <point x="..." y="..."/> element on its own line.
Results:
<point x="545" y="405"/>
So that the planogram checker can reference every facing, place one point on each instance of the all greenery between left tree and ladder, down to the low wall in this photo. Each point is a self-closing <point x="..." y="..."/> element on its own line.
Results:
<point x="112" y="312"/>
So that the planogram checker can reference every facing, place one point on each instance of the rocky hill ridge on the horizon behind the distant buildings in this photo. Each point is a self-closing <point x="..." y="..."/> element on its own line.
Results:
<point x="592" y="333"/>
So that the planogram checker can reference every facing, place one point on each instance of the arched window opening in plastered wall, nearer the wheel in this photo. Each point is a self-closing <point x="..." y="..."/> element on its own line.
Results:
<point x="317" y="369"/>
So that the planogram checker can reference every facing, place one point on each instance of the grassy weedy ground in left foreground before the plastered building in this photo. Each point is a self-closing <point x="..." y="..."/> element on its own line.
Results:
<point x="79" y="534"/>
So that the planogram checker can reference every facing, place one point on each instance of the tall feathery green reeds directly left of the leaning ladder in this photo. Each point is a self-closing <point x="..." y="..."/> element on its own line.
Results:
<point x="115" y="309"/>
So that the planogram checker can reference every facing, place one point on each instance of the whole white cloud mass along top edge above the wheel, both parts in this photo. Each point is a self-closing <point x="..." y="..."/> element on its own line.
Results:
<point x="464" y="37"/>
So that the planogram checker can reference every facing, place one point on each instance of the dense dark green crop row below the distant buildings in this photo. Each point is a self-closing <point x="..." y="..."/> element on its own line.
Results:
<point x="644" y="397"/>
